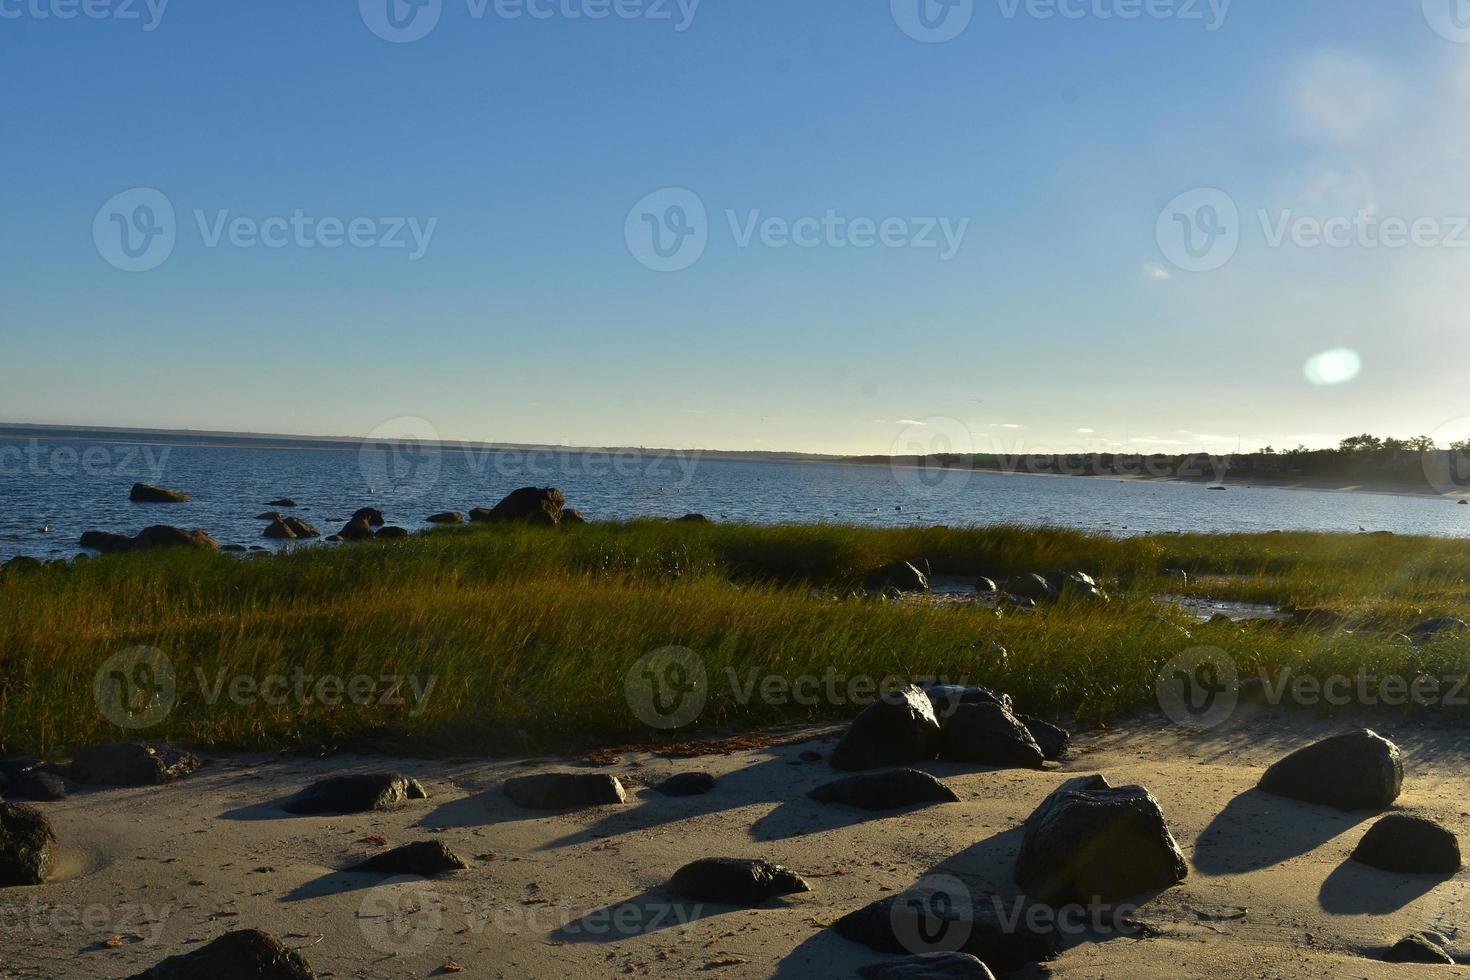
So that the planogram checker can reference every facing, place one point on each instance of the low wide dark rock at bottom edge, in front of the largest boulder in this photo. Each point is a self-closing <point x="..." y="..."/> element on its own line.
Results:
<point x="939" y="915"/>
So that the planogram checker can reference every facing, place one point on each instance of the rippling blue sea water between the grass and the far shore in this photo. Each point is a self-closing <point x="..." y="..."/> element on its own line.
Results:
<point x="54" y="490"/>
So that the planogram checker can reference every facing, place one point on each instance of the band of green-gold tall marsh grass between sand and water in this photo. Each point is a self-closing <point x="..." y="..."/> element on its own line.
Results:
<point x="527" y="635"/>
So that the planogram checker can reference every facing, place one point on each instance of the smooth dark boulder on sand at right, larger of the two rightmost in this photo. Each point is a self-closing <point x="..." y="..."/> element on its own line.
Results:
<point x="1358" y="771"/>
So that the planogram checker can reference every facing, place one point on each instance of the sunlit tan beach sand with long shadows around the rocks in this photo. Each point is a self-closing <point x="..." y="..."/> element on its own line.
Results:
<point x="1269" y="893"/>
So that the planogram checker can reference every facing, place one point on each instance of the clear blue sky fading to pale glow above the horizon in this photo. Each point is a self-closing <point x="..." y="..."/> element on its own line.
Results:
<point x="820" y="226"/>
